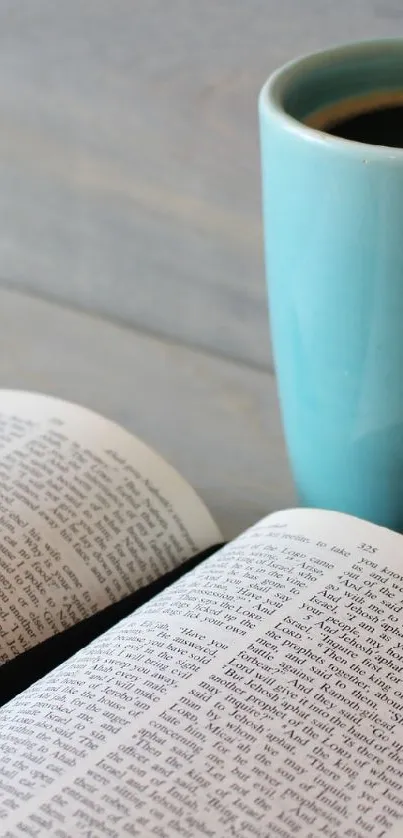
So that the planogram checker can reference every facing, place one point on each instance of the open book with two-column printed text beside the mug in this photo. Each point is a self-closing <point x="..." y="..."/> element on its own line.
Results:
<point x="259" y="695"/>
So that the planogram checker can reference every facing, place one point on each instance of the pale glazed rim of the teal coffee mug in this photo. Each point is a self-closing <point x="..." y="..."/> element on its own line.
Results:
<point x="272" y="95"/>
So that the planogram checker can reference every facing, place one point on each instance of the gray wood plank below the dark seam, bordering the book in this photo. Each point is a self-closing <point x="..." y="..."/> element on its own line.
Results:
<point x="215" y="420"/>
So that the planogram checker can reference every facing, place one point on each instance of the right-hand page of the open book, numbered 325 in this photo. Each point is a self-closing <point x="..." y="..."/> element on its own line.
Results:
<point x="261" y="695"/>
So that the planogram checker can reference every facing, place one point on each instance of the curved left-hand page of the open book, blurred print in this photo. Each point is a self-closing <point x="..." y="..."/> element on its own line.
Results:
<point x="88" y="514"/>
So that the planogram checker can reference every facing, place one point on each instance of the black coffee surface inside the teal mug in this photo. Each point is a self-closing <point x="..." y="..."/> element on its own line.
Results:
<point x="379" y="126"/>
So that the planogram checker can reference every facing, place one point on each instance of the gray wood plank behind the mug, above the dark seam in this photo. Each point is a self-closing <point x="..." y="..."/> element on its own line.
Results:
<point x="129" y="172"/>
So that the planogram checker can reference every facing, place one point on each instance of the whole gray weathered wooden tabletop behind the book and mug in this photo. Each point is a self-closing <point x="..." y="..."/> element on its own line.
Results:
<point x="130" y="238"/>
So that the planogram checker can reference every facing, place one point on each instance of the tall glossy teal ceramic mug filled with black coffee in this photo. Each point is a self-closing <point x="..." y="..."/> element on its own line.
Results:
<point x="332" y="170"/>
